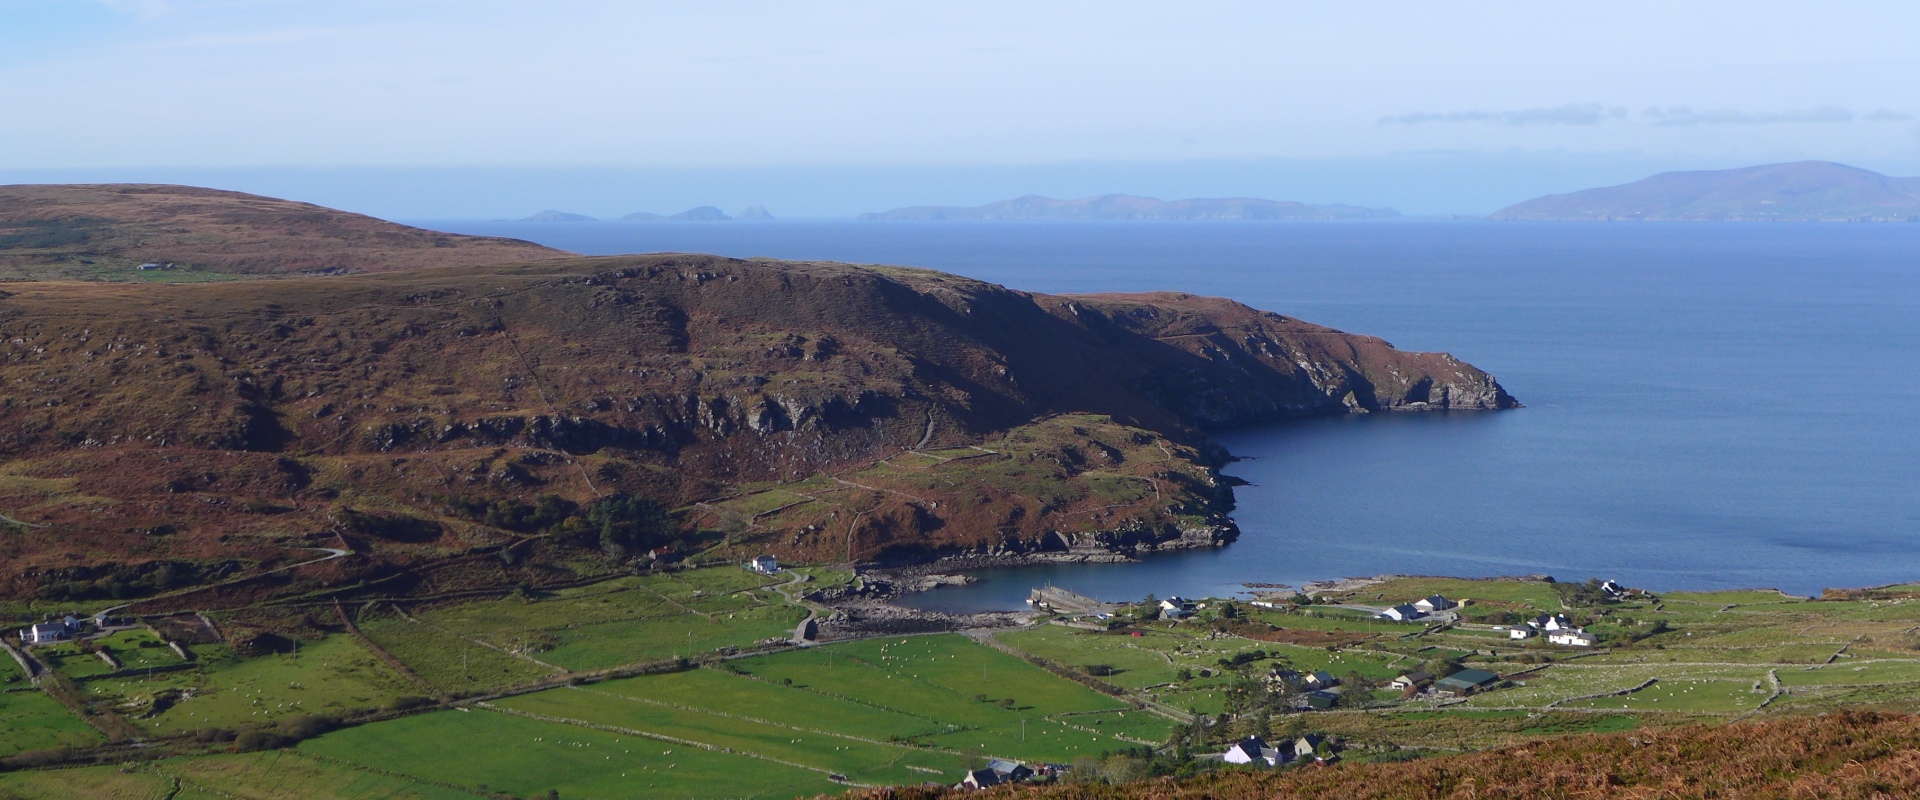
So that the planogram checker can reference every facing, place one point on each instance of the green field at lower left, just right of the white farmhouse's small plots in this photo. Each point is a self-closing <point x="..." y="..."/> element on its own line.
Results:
<point x="226" y="690"/>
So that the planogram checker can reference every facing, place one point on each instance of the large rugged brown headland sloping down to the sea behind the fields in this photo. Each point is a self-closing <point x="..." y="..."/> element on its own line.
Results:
<point x="164" y="436"/>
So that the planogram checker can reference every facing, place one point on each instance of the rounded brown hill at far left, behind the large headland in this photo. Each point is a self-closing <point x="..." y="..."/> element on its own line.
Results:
<point x="107" y="231"/>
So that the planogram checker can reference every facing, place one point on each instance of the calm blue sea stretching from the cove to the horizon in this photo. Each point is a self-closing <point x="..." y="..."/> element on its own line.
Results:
<point x="1708" y="406"/>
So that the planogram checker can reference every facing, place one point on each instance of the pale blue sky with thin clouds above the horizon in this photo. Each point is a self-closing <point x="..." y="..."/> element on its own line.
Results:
<point x="1045" y="97"/>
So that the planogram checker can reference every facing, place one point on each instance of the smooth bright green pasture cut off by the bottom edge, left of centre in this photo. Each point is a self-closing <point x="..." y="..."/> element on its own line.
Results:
<point x="529" y="757"/>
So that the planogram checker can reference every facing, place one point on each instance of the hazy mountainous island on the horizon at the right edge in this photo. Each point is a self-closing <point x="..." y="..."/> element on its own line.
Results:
<point x="1777" y="193"/>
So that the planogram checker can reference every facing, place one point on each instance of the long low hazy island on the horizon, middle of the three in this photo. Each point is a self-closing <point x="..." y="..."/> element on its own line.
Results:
<point x="1130" y="208"/>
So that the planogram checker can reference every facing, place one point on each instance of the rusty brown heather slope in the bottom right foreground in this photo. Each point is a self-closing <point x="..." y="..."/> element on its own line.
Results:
<point x="1850" y="755"/>
